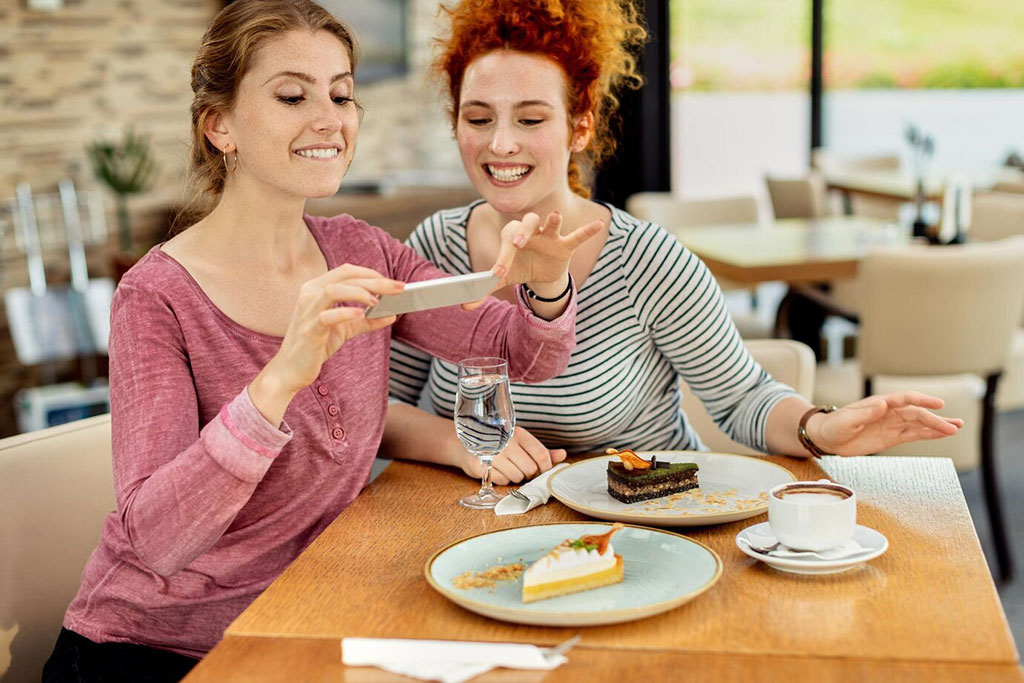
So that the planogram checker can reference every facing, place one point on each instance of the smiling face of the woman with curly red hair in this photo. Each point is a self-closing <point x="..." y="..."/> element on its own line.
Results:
<point x="515" y="133"/>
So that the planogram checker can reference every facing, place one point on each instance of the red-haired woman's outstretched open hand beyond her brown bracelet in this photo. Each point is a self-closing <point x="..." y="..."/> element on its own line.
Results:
<point x="877" y="423"/>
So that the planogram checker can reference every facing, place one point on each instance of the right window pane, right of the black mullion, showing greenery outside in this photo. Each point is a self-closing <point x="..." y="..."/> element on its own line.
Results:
<point x="953" y="68"/>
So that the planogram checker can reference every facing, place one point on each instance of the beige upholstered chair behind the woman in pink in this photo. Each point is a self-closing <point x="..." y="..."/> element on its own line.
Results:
<point x="56" y="489"/>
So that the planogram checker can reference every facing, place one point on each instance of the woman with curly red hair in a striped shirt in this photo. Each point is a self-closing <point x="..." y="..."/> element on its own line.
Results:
<point x="533" y="91"/>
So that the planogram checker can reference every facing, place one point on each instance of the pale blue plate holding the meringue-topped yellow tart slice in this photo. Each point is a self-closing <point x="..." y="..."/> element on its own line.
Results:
<point x="662" y="572"/>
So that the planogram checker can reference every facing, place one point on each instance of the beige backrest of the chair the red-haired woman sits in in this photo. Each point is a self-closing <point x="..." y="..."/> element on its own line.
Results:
<point x="789" y="362"/>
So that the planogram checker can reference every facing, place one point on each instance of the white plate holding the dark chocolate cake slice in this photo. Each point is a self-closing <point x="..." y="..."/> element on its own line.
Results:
<point x="732" y="488"/>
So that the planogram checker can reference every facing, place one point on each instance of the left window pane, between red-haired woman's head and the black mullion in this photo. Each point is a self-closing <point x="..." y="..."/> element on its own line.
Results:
<point x="740" y="106"/>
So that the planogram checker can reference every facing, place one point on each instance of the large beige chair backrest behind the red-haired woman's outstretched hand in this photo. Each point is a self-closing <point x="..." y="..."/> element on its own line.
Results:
<point x="941" y="311"/>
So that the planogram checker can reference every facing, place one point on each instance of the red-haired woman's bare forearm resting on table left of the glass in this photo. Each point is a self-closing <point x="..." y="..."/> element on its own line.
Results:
<point x="411" y="434"/>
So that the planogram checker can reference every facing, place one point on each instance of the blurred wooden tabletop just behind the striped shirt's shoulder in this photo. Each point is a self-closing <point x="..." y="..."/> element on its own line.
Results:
<point x="794" y="250"/>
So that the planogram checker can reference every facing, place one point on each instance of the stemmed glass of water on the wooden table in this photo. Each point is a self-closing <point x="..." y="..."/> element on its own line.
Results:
<point x="485" y="420"/>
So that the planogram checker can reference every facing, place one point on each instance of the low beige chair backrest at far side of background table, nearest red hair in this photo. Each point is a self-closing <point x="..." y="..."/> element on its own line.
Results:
<point x="666" y="210"/>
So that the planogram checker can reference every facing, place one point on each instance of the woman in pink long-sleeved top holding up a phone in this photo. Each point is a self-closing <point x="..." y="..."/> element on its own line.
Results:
<point x="249" y="391"/>
